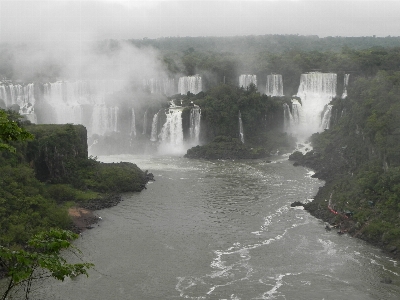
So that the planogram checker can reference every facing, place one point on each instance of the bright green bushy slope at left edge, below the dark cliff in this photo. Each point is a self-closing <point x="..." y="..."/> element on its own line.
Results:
<point x="25" y="208"/>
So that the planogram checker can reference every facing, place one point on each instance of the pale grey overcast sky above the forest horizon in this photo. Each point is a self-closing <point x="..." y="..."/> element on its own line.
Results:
<point x="74" y="20"/>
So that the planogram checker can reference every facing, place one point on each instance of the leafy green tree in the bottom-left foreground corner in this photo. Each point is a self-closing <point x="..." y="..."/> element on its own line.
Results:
<point x="41" y="259"/>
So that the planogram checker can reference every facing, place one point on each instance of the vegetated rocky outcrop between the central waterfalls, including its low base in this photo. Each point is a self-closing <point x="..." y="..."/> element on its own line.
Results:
<point x="262" y="120"/>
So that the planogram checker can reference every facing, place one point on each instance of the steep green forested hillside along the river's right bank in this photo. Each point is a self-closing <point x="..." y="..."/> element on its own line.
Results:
<point x="360" y="159"/>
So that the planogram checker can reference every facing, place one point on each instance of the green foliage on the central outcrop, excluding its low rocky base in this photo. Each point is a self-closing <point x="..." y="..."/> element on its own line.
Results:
<point x="262" y="116"/>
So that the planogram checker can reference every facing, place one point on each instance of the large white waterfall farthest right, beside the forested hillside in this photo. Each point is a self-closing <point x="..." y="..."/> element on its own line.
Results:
<point x="316" y="90"/>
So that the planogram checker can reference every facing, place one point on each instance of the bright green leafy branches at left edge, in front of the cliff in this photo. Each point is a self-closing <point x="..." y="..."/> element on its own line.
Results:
<point x="10" y="131"/>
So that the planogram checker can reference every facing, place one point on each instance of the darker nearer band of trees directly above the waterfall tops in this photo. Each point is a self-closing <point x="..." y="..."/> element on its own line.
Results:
<point x="218" y="68"/>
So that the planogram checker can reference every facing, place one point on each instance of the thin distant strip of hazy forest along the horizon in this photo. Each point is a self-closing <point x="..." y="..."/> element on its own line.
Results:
<point x="273" y="43"/>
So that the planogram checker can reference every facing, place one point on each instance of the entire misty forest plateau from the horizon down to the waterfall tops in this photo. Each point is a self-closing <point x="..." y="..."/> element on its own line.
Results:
<point x="223" y="59"/>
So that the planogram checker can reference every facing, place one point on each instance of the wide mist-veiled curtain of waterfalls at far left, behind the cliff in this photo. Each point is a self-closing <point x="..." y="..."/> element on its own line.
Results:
<point x="78" y="102"/>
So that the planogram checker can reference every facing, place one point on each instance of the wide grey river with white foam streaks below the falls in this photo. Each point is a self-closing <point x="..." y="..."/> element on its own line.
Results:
<point x="223" y="230"/>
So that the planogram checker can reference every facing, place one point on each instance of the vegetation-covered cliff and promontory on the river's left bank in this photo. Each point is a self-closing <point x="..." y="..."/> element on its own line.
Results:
<point x="50" y="173"/>
